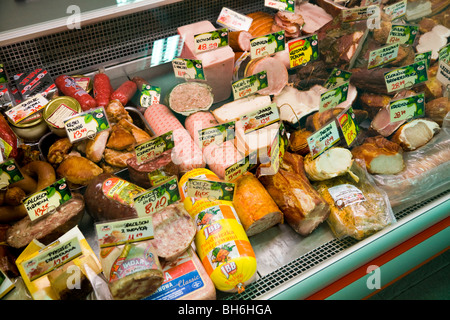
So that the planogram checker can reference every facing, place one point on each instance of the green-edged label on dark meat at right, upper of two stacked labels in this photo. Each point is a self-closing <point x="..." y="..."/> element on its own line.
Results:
<point x="406" y="77"/>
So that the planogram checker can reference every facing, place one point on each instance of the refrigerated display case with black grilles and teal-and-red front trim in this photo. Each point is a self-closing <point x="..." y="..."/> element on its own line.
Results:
<point x="120" y="37"/>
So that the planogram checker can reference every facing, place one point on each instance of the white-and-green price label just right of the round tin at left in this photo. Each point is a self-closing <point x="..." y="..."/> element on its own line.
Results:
<point x="86" y="124"/>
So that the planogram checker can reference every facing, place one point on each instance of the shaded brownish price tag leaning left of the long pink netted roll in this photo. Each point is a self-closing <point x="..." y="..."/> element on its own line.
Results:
<point x="153" y="148"/>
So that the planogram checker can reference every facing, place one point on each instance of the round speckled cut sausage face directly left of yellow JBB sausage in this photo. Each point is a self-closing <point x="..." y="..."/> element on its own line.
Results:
<point x="174" y="231"/>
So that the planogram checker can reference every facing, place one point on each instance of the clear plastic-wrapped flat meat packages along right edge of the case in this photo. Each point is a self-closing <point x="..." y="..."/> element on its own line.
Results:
<point x="426" y="170"/>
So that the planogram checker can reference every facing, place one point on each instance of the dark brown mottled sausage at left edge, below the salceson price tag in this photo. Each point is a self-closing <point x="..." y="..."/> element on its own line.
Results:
<point x="48" y="228"/>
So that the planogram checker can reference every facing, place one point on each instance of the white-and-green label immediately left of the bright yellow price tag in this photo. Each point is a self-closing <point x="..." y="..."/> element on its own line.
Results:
<point x="267" y="45"/>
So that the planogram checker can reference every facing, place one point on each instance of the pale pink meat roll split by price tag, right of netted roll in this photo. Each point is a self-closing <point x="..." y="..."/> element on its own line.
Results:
<point x="218" y="157"/>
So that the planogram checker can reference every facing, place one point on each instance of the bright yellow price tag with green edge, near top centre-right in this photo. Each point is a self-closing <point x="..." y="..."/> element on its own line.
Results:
<point x="303" y="50"/>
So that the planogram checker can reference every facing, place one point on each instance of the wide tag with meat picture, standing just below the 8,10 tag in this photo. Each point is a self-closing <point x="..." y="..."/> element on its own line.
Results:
<point x="116" y="233"/>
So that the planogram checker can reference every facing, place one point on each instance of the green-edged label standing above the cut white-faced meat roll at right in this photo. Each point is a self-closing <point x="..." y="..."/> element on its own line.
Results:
<point x="407" y="108"/>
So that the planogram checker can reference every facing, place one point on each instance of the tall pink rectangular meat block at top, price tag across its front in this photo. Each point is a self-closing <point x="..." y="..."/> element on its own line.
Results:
<point x="217" y="64"/>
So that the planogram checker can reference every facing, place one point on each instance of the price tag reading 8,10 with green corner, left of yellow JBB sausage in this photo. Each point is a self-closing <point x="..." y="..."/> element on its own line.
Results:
<point x="157" y="198"/>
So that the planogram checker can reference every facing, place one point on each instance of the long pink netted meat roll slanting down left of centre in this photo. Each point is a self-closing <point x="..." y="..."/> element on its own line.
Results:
<point x="186" y="153"/>
